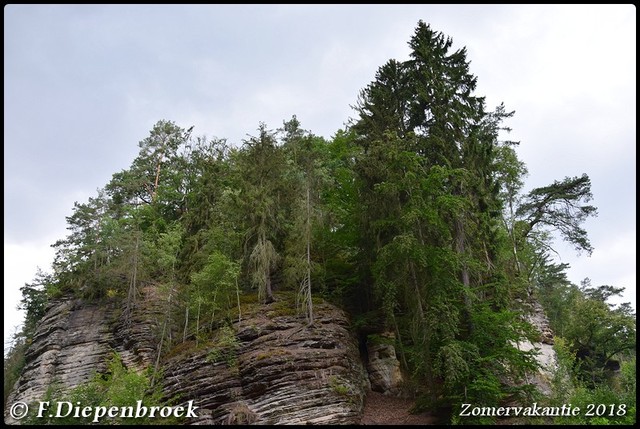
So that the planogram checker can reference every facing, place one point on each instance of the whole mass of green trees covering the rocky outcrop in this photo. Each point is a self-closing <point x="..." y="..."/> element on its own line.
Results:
<point x="411" y="218"/>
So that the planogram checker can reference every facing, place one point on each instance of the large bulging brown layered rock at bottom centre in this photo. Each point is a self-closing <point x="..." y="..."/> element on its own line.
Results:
<point x="278" y="371"/>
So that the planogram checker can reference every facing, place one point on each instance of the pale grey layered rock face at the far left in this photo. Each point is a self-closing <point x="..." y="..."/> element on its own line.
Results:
<point x="74" y="340"/>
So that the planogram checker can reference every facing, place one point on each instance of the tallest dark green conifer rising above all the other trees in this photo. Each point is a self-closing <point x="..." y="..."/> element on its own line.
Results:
<point x="429" y="179"/>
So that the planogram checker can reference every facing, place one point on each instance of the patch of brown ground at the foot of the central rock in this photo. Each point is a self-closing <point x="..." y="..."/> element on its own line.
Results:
<point x="389" y="410"/>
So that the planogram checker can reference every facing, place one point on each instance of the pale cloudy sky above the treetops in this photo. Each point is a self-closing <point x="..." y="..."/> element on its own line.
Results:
<point x="84" y="84"/>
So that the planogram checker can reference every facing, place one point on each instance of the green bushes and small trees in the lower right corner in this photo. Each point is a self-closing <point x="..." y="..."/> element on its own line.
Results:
<point x="596" y="334"/>
